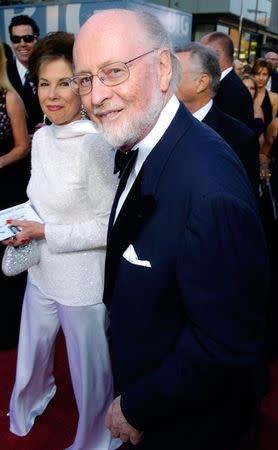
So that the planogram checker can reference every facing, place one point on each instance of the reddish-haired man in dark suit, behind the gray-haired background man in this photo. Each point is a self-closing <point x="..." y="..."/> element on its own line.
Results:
<point x="232" y="96"/>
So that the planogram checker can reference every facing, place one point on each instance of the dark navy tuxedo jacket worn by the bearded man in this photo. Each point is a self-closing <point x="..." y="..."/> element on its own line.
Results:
<point x="187" y="333"/>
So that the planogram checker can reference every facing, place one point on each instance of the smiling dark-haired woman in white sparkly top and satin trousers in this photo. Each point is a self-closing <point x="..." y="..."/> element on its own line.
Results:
<point x="71" y="188"/>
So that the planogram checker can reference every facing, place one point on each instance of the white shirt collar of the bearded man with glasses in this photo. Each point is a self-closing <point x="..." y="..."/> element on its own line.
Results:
<point x="149" y="142"/>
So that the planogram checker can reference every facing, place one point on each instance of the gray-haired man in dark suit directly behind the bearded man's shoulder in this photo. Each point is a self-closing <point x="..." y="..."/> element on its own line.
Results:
<point x="199" y="84"/>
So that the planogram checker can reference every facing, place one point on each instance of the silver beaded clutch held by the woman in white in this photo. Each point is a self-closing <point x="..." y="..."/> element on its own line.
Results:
<point x="18" y="259"/>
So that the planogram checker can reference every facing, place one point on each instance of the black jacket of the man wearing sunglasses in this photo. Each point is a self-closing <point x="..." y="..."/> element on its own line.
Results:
<point x="30" y="100"/>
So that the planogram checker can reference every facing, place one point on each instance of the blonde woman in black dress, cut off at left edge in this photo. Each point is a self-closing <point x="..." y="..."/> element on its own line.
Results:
<point x="14" y="146"/>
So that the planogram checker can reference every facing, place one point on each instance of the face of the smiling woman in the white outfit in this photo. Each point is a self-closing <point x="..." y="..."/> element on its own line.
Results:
<point x="57" y="100"/>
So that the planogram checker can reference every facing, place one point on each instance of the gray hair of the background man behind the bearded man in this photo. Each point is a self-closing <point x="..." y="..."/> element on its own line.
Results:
<point x="204" y="60"/>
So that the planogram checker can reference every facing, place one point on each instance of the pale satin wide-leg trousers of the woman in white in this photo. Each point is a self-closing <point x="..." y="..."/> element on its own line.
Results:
<point x="84" y="328"/>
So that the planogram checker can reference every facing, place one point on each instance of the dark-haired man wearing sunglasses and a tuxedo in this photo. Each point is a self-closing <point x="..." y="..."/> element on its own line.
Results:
<point x="24" y="33"/>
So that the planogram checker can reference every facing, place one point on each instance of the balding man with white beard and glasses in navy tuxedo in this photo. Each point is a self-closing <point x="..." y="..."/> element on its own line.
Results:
<point x="185" y="244"/>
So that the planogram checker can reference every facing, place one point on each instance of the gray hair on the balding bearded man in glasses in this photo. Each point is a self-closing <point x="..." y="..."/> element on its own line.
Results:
<point x="160" y="39"/>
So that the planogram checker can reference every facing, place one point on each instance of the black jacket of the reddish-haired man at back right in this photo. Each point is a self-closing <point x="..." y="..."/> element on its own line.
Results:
<point x="234" y="99"/>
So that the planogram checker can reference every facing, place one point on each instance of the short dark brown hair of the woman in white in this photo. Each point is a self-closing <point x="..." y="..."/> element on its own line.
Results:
<point x="53" y="46"/>
